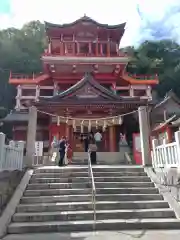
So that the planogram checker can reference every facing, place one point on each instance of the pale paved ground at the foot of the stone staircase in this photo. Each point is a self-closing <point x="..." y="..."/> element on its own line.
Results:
<point x="118" y="235"/>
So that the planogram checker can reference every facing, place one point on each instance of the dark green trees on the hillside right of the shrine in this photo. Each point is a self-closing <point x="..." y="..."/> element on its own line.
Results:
<point x="161" y="57"/>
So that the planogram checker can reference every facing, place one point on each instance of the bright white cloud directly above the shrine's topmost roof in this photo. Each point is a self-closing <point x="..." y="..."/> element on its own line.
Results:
<point x="60" y="11"/>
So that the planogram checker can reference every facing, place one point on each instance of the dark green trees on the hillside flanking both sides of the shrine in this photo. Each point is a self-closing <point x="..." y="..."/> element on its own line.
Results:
<point x="20" y="51"/>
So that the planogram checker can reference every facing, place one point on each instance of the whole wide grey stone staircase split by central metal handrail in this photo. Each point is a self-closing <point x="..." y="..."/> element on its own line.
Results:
<point x="59" y="200"/>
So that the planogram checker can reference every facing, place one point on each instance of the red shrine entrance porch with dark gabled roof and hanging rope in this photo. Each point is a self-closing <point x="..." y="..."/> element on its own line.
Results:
<point x="87" y="107"/>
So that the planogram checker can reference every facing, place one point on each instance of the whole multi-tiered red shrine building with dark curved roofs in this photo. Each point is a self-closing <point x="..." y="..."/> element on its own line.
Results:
<point x="83" y="85"/>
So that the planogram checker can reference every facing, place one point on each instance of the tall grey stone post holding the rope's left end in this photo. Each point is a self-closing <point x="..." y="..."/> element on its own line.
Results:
<point x="31" y="136"/>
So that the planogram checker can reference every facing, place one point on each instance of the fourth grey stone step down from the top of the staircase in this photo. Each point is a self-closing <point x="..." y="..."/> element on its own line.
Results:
<point x="85" y="185"/>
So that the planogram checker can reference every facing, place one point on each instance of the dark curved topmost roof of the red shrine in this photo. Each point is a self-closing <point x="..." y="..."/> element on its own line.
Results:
<point x="85" y="19"/>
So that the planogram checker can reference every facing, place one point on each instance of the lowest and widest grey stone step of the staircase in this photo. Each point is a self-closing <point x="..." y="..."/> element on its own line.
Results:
<point x="109" y="224"/>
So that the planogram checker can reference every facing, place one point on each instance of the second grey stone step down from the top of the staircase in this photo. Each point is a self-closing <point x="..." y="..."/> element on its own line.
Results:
<point x="85" y="174"/>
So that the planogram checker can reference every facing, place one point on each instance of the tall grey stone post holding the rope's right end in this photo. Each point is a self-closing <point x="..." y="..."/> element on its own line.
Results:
<point x="144" y="135"/>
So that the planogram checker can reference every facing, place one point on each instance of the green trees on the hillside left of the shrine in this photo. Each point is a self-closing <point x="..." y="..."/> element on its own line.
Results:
<point x="20" y="52"/>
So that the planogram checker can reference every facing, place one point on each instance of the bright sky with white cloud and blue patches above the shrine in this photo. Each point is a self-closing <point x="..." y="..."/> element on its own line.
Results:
<point x="14" y="13"/>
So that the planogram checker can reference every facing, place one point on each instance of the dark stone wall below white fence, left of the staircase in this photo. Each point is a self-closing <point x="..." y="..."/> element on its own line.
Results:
<point x="9" y="180"/>
